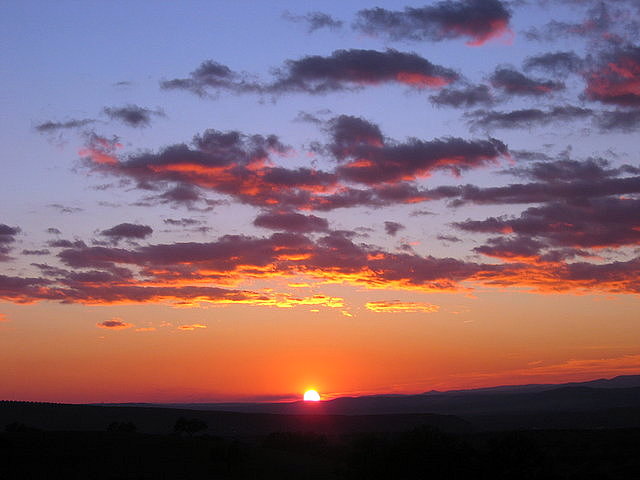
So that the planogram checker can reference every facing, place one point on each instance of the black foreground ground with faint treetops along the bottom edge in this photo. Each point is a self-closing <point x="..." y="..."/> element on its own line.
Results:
<point x="423" y="452"/>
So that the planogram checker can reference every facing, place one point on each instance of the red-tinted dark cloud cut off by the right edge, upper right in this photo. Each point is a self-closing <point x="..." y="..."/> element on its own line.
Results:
<point x="615" y="78"/>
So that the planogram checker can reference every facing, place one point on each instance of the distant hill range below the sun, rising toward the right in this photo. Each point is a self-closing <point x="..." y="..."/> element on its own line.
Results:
<point x="602" y="394"/>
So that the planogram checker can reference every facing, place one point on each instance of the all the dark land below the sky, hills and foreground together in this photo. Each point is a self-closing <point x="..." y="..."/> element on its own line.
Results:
<point x="572" y="431"/>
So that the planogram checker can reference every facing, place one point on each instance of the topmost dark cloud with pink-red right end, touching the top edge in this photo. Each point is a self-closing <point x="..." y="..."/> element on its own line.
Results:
<point x="477" y="20"/>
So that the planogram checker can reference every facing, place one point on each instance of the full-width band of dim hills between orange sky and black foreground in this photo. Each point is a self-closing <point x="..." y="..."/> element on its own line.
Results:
<point x="603" y="403"/>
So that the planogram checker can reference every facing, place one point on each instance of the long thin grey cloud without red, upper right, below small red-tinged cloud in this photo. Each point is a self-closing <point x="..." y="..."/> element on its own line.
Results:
<point x="527" y="118"/>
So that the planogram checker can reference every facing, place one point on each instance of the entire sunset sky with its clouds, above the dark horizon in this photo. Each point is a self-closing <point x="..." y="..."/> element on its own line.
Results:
<point x="240" y="201"/>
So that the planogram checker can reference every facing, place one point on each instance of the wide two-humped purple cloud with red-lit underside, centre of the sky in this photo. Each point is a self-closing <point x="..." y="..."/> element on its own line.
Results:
<point x="243" y="166"/>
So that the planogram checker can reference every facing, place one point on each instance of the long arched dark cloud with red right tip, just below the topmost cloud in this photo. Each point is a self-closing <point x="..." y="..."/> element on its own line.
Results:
<point x="348" y="69"/>
